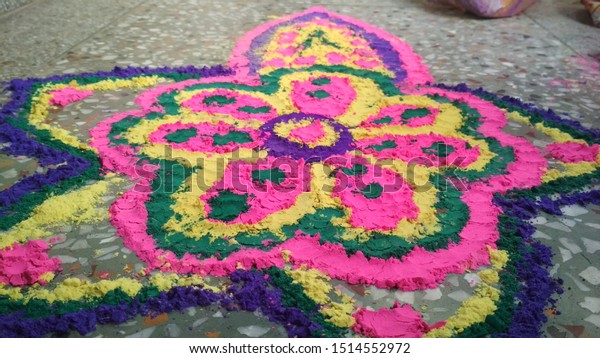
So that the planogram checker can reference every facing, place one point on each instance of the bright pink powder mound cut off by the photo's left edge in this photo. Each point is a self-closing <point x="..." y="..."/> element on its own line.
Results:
<point x="26" y="264"/>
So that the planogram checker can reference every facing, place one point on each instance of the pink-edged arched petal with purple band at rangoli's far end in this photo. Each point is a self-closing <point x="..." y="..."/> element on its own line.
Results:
<point x="320" y="37"/>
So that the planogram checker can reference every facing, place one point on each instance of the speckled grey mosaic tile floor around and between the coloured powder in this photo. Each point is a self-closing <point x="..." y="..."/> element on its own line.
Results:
<point x="548" y="56"/>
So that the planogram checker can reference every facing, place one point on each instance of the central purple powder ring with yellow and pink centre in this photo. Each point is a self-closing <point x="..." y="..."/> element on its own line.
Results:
<point x="305" y="136"/>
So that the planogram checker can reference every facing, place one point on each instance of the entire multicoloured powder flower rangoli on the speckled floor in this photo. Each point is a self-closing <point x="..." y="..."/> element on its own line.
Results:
<point x="324" y="164"/>
